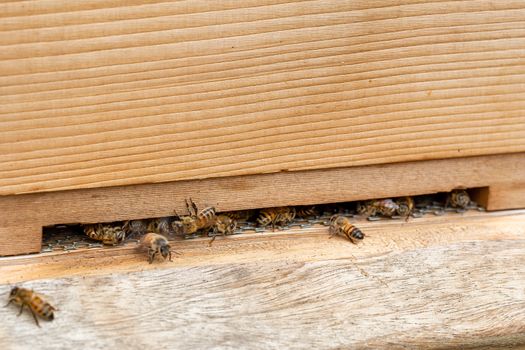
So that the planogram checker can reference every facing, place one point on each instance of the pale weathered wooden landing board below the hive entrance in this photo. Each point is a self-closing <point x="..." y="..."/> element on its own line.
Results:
<point x="432" y="283"/>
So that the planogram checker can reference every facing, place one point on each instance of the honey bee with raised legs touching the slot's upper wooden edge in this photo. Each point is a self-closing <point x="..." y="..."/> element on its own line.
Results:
<point x="197" y="220"/>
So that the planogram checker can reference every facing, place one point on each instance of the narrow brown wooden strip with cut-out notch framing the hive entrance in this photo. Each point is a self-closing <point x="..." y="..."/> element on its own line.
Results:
<point x="259" y="191"/>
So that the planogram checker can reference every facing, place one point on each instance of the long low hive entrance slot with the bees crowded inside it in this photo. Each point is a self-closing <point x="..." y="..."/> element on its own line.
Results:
<point x="207" y="222"/>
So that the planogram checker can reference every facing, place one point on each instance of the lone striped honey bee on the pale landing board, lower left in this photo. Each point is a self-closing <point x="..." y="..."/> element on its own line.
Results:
<point x="34" y="302"/>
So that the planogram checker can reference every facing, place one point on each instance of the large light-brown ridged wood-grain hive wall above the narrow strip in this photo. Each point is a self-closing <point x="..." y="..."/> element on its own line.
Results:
<point x="110" y="93"/>
